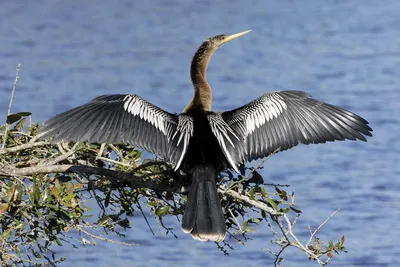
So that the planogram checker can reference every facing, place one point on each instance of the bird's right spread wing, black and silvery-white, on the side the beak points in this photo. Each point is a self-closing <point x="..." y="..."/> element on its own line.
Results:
<point x="280" y="121"/>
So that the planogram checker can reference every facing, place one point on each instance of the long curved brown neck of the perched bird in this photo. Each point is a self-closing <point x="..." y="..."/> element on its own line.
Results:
<point x="202" y="97"/>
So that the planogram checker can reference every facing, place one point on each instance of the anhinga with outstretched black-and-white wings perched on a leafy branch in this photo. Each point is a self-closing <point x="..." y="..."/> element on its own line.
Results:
<point x="203" y="143"/>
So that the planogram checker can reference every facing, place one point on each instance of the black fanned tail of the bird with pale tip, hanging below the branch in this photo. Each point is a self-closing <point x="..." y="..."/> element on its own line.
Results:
<point x="203" y="217"/>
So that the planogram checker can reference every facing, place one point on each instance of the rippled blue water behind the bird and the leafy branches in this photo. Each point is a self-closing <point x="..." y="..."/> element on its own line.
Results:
<point x="343" y="52"/>
